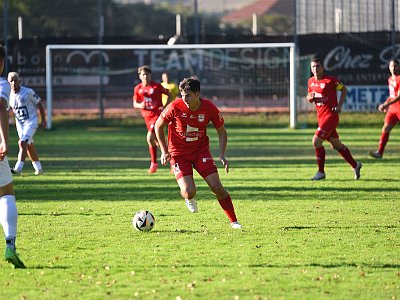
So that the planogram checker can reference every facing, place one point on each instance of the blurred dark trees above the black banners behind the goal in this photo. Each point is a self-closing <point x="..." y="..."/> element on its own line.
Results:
<point x="80" y="19"/>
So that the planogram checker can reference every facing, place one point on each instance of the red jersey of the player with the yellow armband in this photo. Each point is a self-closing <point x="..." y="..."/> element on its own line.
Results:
<point x="325" y="93"/>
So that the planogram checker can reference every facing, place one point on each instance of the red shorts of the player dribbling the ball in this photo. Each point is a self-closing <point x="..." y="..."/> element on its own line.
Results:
<point x="201" y="161"/>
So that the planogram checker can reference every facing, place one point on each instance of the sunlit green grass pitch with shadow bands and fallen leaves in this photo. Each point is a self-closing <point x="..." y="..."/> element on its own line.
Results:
<point x="334" y="239"/>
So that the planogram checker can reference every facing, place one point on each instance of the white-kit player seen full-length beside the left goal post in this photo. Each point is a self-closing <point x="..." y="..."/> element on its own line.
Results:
<point x="25" y="104"/>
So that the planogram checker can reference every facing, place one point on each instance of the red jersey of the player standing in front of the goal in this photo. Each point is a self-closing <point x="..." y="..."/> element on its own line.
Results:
<point x="151" y="95"/>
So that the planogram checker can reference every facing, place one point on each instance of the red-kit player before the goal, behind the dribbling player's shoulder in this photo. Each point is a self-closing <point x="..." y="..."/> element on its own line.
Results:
<point x="147" y="96"/>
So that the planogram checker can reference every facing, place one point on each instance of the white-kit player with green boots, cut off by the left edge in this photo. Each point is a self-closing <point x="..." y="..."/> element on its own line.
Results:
<point x="8" y="207"/>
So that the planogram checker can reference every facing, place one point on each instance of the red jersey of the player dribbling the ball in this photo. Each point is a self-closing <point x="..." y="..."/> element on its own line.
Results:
<point x="187" y="129"/>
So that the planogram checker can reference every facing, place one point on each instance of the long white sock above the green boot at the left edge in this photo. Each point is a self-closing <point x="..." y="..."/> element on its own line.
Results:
<point x="8" y="216"/>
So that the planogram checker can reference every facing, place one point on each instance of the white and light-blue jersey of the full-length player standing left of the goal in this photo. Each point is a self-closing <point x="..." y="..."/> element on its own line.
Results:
<point x="24" y="104"/>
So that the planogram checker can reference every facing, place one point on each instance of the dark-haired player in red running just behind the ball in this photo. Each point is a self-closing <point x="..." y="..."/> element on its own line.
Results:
<point x="189" y="147"/>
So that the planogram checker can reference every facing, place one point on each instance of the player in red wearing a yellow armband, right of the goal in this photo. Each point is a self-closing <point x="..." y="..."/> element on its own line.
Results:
<point x="322" y="90"/>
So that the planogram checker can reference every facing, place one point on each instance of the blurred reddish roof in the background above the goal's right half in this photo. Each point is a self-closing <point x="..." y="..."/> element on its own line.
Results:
<point x="259" y="7"/>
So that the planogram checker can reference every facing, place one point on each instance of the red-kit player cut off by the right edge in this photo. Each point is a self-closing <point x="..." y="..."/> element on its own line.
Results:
<point x="391" y="106"/>
